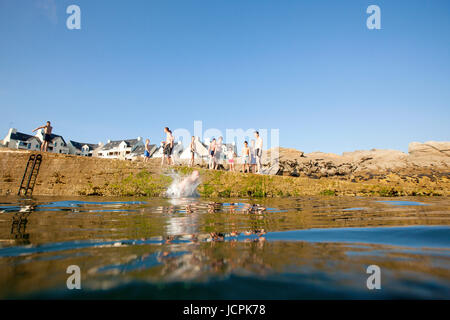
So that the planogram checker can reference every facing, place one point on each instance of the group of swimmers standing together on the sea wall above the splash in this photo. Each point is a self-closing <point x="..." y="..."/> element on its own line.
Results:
<point x="251" y="155"/>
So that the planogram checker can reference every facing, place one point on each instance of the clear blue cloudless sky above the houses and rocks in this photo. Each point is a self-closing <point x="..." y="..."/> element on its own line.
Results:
<point x="310" y="68"/>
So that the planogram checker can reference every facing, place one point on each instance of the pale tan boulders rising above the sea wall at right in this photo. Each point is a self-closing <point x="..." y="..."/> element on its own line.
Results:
<point x="432" y="158"/>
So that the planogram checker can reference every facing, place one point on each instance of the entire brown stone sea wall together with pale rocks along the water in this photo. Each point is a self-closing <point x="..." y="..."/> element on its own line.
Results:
<point x="424" y="171"/>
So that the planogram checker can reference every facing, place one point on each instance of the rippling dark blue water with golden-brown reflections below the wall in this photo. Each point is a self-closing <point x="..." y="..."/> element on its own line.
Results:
<point x="302" y="248"/>
